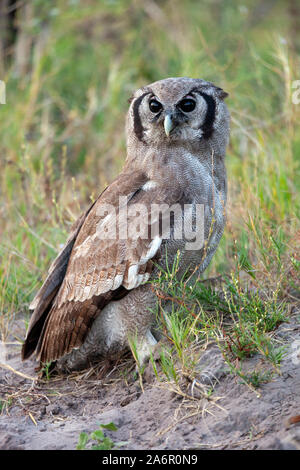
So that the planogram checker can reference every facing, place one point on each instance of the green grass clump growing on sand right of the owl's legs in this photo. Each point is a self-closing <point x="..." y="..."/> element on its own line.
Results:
<point x="240" y="320"/>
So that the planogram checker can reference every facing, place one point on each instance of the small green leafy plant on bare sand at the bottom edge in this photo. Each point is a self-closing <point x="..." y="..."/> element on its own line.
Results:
<point x="102" y="442"/>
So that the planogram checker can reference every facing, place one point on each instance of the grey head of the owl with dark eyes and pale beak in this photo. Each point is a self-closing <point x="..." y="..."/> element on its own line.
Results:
<point x="178" y="111"/>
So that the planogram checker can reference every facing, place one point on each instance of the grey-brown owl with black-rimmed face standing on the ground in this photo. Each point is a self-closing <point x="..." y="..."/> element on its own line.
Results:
<point x="168" y="201"/>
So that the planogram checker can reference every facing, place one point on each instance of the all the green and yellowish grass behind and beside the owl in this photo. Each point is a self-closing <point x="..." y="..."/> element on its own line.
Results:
<point x="62" y="141"/>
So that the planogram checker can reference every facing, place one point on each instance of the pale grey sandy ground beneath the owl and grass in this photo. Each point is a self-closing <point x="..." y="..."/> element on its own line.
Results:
<point x="50" y="414"/>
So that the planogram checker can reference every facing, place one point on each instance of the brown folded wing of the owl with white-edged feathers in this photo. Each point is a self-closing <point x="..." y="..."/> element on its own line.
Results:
<point x="103" y="264"/>
